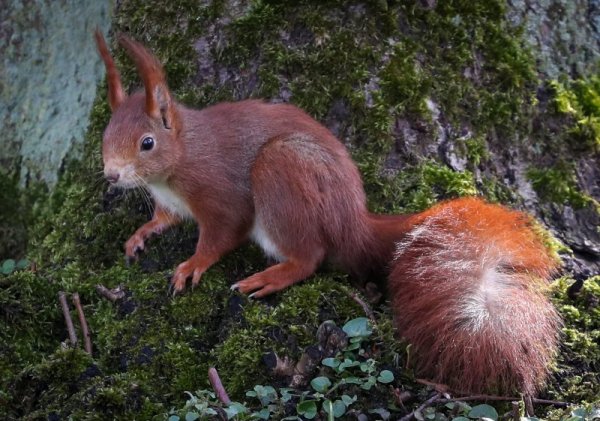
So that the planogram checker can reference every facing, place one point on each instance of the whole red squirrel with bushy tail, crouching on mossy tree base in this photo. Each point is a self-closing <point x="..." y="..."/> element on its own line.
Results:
<point x="466" y="279"/>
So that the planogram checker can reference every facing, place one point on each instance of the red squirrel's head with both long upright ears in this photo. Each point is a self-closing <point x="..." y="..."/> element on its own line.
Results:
<point x="141" y="143"/>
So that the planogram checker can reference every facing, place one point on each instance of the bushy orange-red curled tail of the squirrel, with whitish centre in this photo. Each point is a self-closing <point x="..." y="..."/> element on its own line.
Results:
<point x="468" y="287"/>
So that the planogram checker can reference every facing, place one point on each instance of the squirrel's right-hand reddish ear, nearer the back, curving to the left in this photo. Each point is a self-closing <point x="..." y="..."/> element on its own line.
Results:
<point x="158" y="97"/>
